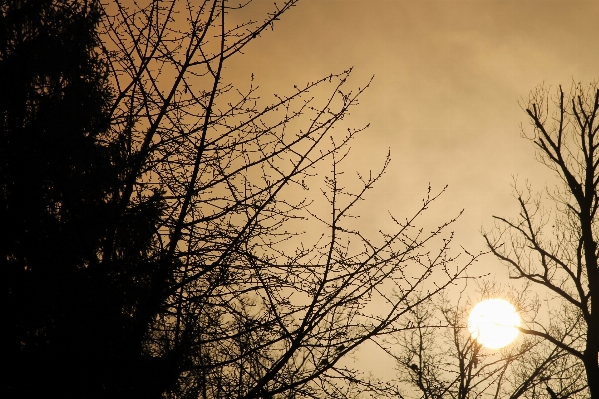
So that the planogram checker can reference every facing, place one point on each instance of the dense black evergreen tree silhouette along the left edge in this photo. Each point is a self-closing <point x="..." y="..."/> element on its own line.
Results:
<point x="56" y="176"/>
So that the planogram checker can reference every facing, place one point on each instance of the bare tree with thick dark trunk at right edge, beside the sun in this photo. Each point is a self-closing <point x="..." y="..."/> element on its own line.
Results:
<point x="553" y="241"/>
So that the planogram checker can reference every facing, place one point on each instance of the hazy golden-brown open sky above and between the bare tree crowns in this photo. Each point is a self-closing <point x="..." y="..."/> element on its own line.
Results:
<point x="448" y="78"/>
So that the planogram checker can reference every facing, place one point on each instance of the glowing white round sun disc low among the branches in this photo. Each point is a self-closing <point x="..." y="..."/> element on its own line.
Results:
<point x="492" y="323"/>
